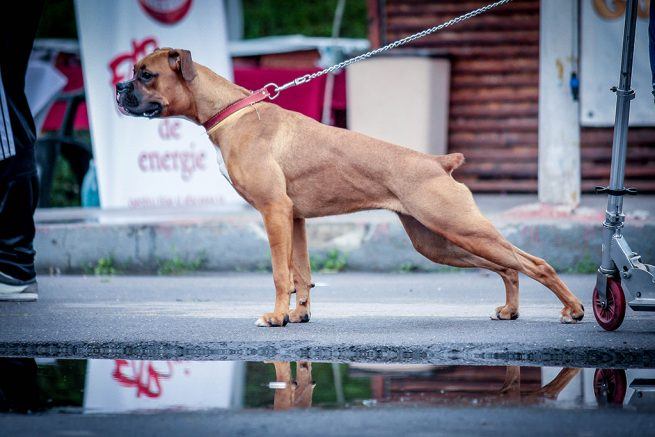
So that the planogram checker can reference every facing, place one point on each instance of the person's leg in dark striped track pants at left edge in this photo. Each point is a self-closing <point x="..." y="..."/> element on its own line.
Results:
<point x="18" y="178"/>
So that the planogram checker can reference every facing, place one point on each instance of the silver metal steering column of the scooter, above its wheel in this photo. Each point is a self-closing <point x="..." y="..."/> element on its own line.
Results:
<point x="614" y="214"/>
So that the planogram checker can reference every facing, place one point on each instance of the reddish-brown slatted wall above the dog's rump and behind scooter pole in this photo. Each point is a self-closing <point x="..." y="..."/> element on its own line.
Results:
<point x="494" y="93"/>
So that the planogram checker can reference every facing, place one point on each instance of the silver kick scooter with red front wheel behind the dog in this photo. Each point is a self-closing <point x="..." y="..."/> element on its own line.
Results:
<point x="622" y="272"/>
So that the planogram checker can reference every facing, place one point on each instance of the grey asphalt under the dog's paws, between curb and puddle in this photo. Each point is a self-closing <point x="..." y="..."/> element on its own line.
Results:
<point x="412" y="317"/>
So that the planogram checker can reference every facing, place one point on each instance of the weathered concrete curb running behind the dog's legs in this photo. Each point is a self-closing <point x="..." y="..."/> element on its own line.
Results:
<point x="369" y="241"/>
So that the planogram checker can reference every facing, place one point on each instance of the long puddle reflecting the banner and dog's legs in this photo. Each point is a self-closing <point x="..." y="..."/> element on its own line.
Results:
<point x="129" y="386"/>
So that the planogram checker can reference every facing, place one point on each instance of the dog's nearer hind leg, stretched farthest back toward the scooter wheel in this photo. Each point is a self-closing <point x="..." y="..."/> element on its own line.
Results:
<point x="446" y="207"/>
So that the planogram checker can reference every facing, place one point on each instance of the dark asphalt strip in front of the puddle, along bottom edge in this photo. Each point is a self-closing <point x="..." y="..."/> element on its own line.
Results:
<point x="357" y="422"/>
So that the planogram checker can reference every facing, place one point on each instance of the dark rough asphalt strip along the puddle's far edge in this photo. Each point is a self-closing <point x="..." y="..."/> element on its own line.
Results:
<point x="442" y="354"/>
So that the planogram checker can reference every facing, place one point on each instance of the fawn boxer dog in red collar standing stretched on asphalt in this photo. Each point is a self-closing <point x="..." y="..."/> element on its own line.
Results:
<point x="291" y="168"/>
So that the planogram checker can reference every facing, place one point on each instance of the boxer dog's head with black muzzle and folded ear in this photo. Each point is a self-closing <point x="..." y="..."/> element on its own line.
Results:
<point x="160" y="86"/>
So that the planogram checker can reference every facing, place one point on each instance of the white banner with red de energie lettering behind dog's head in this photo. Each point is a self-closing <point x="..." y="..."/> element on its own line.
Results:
<point x="141" y="162"/>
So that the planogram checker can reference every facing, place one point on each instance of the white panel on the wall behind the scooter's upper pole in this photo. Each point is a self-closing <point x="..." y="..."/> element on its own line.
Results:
<point x="600" y="59"/>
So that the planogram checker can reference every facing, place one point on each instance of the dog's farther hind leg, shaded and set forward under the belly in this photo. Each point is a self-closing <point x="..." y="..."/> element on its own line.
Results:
<point x="438" y="249"/>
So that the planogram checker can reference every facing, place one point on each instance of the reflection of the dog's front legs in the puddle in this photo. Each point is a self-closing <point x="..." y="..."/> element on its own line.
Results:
<point x="293" y="393"/>
